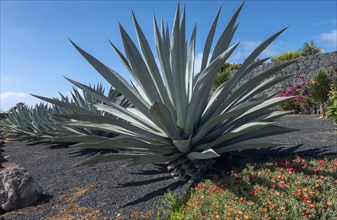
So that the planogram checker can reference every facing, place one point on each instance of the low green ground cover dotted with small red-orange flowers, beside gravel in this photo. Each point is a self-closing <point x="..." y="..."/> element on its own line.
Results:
<point x="288" y="188"/>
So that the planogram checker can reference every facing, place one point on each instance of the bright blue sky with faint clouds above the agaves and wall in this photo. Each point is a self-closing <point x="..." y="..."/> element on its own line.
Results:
<point x="36" y="53"/>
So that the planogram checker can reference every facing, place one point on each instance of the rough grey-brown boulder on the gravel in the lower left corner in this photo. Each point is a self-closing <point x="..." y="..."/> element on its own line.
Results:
<point x="18" y="189"/>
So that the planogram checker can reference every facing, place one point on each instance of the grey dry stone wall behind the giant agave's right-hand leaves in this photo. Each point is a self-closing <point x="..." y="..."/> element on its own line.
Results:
<point x="303" y="68"/>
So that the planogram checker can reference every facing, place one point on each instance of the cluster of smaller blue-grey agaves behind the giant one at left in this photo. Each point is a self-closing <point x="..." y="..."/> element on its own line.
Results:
<point x="38" y="122"/>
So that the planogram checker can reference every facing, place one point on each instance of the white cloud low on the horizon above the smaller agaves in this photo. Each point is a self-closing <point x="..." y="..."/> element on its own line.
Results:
<point x="9" y="99"/>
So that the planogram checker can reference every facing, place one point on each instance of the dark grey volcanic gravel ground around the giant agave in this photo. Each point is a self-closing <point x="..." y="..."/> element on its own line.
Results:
<point x="114" y="191"/>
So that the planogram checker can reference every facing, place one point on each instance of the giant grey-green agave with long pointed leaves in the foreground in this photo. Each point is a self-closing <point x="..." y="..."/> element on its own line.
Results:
<point x="177" y="118"/>
